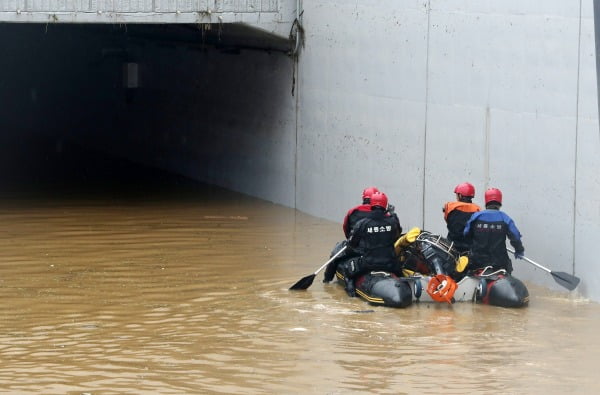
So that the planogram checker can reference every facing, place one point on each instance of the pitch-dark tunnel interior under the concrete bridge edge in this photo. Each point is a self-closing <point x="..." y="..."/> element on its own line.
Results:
<point x="124" y="109"/>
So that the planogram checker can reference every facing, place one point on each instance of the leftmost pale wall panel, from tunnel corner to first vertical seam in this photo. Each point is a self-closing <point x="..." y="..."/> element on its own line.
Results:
<point x="363" y="80"/>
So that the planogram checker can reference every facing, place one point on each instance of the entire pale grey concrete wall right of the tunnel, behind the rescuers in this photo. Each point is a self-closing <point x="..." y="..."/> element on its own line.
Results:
<point x="418" y="96"/>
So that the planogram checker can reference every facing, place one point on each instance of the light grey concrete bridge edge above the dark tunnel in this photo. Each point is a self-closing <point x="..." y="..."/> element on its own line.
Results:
<point x="273" y="16"/>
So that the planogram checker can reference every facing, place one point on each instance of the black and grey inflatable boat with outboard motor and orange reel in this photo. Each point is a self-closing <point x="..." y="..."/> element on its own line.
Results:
<point x="433" y="271"/>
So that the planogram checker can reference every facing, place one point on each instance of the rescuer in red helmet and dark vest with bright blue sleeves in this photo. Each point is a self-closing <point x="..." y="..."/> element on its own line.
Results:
<point x="488" y="231"/>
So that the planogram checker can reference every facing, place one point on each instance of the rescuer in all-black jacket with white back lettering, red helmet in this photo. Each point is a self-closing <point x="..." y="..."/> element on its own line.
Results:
<point x="372" y="239"/>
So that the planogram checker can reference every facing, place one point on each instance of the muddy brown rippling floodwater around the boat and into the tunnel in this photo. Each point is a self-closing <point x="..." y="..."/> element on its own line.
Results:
<point x="188" y="293"/>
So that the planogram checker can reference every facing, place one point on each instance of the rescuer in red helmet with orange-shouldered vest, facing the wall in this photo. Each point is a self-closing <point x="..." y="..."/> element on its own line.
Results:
<point x="457" y="213"/>
